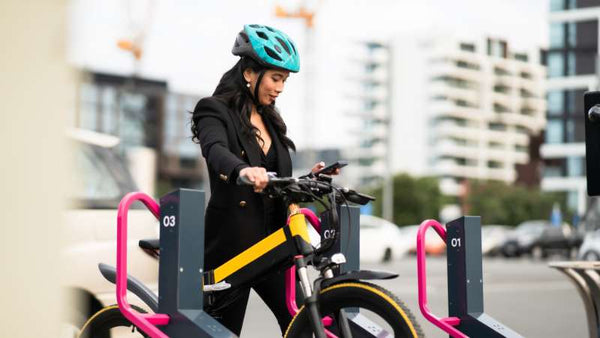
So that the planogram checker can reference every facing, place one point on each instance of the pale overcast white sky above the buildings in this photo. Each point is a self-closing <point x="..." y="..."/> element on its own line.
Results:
<point x="188" y="43"/>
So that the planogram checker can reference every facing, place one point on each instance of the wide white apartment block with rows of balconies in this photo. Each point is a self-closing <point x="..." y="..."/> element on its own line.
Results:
<point x="465" y="109"/>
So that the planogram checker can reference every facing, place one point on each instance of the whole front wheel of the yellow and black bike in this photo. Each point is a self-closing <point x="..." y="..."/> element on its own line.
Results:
<point x="362" y="308"/>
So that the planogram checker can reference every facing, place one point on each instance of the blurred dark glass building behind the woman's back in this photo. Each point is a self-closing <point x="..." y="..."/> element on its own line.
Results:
<point x="151" y="122"/>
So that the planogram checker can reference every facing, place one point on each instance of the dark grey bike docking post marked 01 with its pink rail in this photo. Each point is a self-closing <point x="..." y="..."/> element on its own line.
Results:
<point x="465" y="281"/>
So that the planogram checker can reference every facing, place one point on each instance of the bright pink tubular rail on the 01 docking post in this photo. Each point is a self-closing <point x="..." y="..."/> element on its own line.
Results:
<point x="447" y="324"/>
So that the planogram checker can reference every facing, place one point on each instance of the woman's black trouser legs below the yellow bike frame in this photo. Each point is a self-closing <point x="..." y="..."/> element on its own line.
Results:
<point x="229" y="307"/>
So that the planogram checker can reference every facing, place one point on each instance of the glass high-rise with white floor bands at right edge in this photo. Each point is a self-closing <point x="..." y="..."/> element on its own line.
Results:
<point x="571" y="60"/>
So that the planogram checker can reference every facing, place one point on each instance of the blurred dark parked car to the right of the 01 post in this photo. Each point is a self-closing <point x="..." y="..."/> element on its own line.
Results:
<point x="539" y="239"/>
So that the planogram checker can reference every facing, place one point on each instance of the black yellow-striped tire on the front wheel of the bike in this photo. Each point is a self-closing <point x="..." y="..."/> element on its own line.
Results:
<point x="359" y="295"/>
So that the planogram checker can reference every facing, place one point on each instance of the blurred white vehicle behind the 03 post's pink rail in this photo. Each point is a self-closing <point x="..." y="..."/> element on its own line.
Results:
<point x="100" y="180"/>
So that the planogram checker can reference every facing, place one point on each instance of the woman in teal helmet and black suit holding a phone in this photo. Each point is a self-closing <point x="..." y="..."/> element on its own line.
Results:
<point x="242" y="134"/>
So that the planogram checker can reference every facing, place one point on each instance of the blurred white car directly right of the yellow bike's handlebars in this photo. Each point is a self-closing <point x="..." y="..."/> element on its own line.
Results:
<point x="380" y="240"/>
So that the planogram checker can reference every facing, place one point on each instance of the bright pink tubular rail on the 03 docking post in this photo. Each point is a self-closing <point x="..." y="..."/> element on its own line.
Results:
<point x="145" y="322"/>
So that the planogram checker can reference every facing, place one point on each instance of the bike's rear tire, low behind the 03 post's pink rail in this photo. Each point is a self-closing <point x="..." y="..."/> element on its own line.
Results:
<point x="110" y="317"/>
